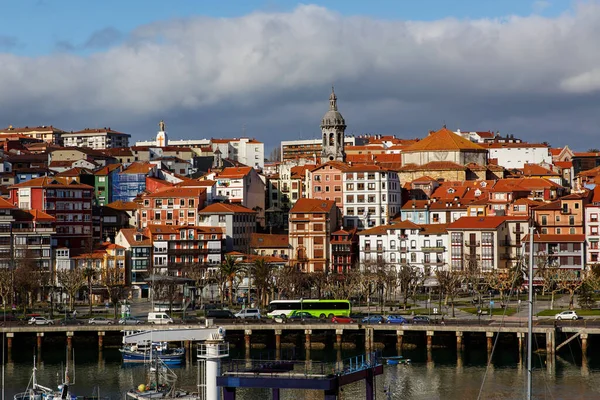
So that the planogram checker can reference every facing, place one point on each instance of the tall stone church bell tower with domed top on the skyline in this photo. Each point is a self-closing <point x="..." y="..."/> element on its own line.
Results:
<point x="333" y="127"/>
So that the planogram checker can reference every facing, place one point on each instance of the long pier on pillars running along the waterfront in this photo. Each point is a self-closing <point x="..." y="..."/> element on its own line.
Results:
<point x="462" y="332"/>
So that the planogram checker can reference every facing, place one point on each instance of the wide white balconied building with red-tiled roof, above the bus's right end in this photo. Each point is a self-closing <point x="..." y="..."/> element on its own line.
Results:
<point x="402" y="243"/>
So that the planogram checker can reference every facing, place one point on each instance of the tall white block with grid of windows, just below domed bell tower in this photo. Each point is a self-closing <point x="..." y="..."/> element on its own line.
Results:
<point x="372" y="196"/>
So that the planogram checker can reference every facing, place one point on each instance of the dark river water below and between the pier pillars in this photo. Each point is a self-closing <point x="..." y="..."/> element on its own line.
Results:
<point x="440" y="374"/>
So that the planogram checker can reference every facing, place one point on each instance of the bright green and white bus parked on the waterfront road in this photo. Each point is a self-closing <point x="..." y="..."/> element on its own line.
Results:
<point x="317" y="308"/>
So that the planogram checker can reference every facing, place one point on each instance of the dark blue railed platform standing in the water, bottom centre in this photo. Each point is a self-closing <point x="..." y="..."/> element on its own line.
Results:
<point x="288" y="374"/>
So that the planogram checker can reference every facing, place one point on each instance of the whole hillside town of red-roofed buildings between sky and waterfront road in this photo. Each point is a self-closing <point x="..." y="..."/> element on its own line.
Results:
<point x="87" y="215"/>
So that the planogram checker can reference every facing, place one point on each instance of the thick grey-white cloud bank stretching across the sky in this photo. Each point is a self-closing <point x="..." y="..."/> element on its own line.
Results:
<point x="272" y="67"/>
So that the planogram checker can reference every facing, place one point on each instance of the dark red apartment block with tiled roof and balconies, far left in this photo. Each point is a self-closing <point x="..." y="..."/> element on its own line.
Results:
<point x="67" y="201"/>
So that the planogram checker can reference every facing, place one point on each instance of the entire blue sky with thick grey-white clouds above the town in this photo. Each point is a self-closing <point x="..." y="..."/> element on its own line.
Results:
<point x="264" y="69"/>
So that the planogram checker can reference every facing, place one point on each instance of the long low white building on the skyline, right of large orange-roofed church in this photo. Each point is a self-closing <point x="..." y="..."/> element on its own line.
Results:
<point x="516" y="155"/>
